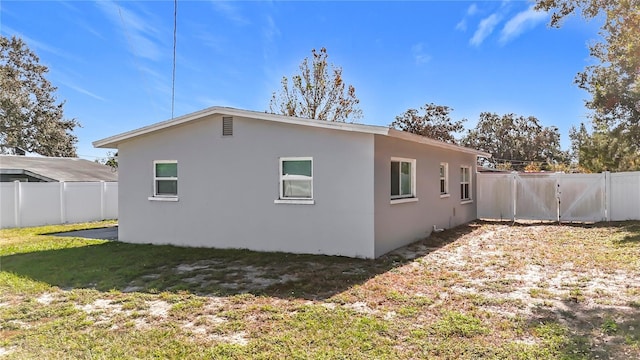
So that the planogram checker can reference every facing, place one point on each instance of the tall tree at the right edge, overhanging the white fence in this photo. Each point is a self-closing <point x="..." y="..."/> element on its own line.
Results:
<point x="613" y="82"/>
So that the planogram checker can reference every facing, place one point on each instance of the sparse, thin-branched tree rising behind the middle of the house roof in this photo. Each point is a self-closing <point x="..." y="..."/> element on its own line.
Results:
<point x="318" y="92"/>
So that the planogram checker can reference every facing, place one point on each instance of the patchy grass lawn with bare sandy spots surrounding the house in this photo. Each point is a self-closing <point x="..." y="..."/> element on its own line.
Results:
<point x="482" y="290"/>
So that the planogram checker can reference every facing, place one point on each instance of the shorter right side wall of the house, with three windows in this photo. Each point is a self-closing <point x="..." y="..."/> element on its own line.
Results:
<point x="400" y="224"/>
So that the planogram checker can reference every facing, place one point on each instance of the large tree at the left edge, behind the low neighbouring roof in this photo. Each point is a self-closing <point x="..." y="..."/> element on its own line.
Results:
<point x="31" y="117"/>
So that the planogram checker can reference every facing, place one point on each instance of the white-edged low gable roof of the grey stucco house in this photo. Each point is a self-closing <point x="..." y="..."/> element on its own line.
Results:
<point x="113" y="141"/>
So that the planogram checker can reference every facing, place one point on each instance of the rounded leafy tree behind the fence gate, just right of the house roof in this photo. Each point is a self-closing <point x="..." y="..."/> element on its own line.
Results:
<point x="516" y="140"/>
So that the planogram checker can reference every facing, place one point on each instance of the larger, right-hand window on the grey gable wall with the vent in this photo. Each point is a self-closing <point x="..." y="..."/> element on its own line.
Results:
<point x="296" y="178"/>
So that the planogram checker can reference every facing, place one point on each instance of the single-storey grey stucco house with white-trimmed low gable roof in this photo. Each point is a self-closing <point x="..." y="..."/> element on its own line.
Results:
<point x="230" y="178"/>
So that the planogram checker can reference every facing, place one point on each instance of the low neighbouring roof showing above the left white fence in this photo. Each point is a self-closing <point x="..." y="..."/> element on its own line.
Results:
<point x="56" y="169"/>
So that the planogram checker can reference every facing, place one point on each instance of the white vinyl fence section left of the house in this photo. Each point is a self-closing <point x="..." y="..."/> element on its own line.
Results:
<point x="24" y="204"/>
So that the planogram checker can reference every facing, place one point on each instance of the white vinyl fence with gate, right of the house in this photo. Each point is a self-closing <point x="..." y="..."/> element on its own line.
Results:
<point x="559" y="197"/>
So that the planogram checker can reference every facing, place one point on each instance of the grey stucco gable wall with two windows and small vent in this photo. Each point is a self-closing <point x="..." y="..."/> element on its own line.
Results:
<point x="227" y="187"/>
